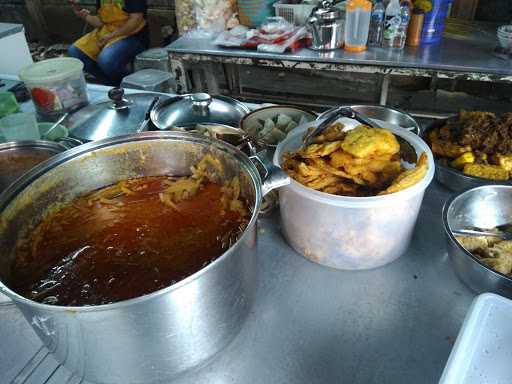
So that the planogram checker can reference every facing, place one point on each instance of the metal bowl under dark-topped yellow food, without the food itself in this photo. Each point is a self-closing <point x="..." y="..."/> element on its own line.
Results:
<point x="452" y="178"/>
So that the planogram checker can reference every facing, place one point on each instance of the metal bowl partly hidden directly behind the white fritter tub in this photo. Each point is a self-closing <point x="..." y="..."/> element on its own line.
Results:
<point x="390" y="115"/>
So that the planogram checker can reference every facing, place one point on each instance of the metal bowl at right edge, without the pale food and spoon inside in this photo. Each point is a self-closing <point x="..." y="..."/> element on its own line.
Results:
<point x="484" y="207"/>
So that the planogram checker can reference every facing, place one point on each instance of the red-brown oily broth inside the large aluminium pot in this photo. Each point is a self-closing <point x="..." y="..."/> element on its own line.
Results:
<point x="127" y="240"/>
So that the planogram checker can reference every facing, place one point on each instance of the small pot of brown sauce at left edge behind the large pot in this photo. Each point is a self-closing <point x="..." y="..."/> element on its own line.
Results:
<point x="17" y="158"/>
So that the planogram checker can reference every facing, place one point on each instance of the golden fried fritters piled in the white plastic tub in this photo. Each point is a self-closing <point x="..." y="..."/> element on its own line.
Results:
<point x="361" y="162"/>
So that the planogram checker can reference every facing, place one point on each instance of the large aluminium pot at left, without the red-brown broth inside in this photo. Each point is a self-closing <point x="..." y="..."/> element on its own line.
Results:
<point x="153" y="337"/>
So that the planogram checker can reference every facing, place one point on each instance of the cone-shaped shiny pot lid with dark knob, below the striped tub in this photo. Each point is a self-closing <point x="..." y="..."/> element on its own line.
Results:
<point x="121" y="115"/>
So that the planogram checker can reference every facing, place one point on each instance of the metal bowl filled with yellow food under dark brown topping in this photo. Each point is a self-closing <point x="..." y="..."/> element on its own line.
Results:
<point x="472" y="149"/>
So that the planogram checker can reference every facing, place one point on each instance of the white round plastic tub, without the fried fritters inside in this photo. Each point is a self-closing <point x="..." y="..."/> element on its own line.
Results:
<point x="350" y="232"/>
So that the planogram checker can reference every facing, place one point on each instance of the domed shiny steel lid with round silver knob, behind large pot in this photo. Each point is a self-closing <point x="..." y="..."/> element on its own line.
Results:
<point x="198" y="108"/>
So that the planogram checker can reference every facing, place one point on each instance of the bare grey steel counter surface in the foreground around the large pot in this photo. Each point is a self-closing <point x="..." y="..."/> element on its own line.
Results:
<point x="311" y="324"/>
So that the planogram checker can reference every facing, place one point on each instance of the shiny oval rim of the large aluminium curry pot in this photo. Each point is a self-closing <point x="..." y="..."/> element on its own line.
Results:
<point x="24" y="182"/>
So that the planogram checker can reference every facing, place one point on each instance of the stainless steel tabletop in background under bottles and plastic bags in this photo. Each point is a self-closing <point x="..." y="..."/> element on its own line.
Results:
<point x="449" y="58"/>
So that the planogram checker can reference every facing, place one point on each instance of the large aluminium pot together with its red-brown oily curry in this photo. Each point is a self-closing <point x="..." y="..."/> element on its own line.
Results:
<point x="134" y="258"/>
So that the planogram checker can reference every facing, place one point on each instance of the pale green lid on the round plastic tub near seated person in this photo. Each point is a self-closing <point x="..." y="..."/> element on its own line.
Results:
<point x="51" y="70"/>
